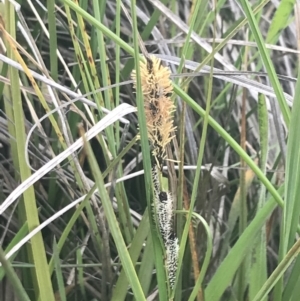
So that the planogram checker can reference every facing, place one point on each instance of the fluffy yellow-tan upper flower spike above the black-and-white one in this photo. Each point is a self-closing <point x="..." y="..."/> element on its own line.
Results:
<point x="157" y="89"/>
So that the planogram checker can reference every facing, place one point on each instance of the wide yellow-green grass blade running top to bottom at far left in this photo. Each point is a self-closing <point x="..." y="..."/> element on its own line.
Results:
<point x="28" y="207"/>
